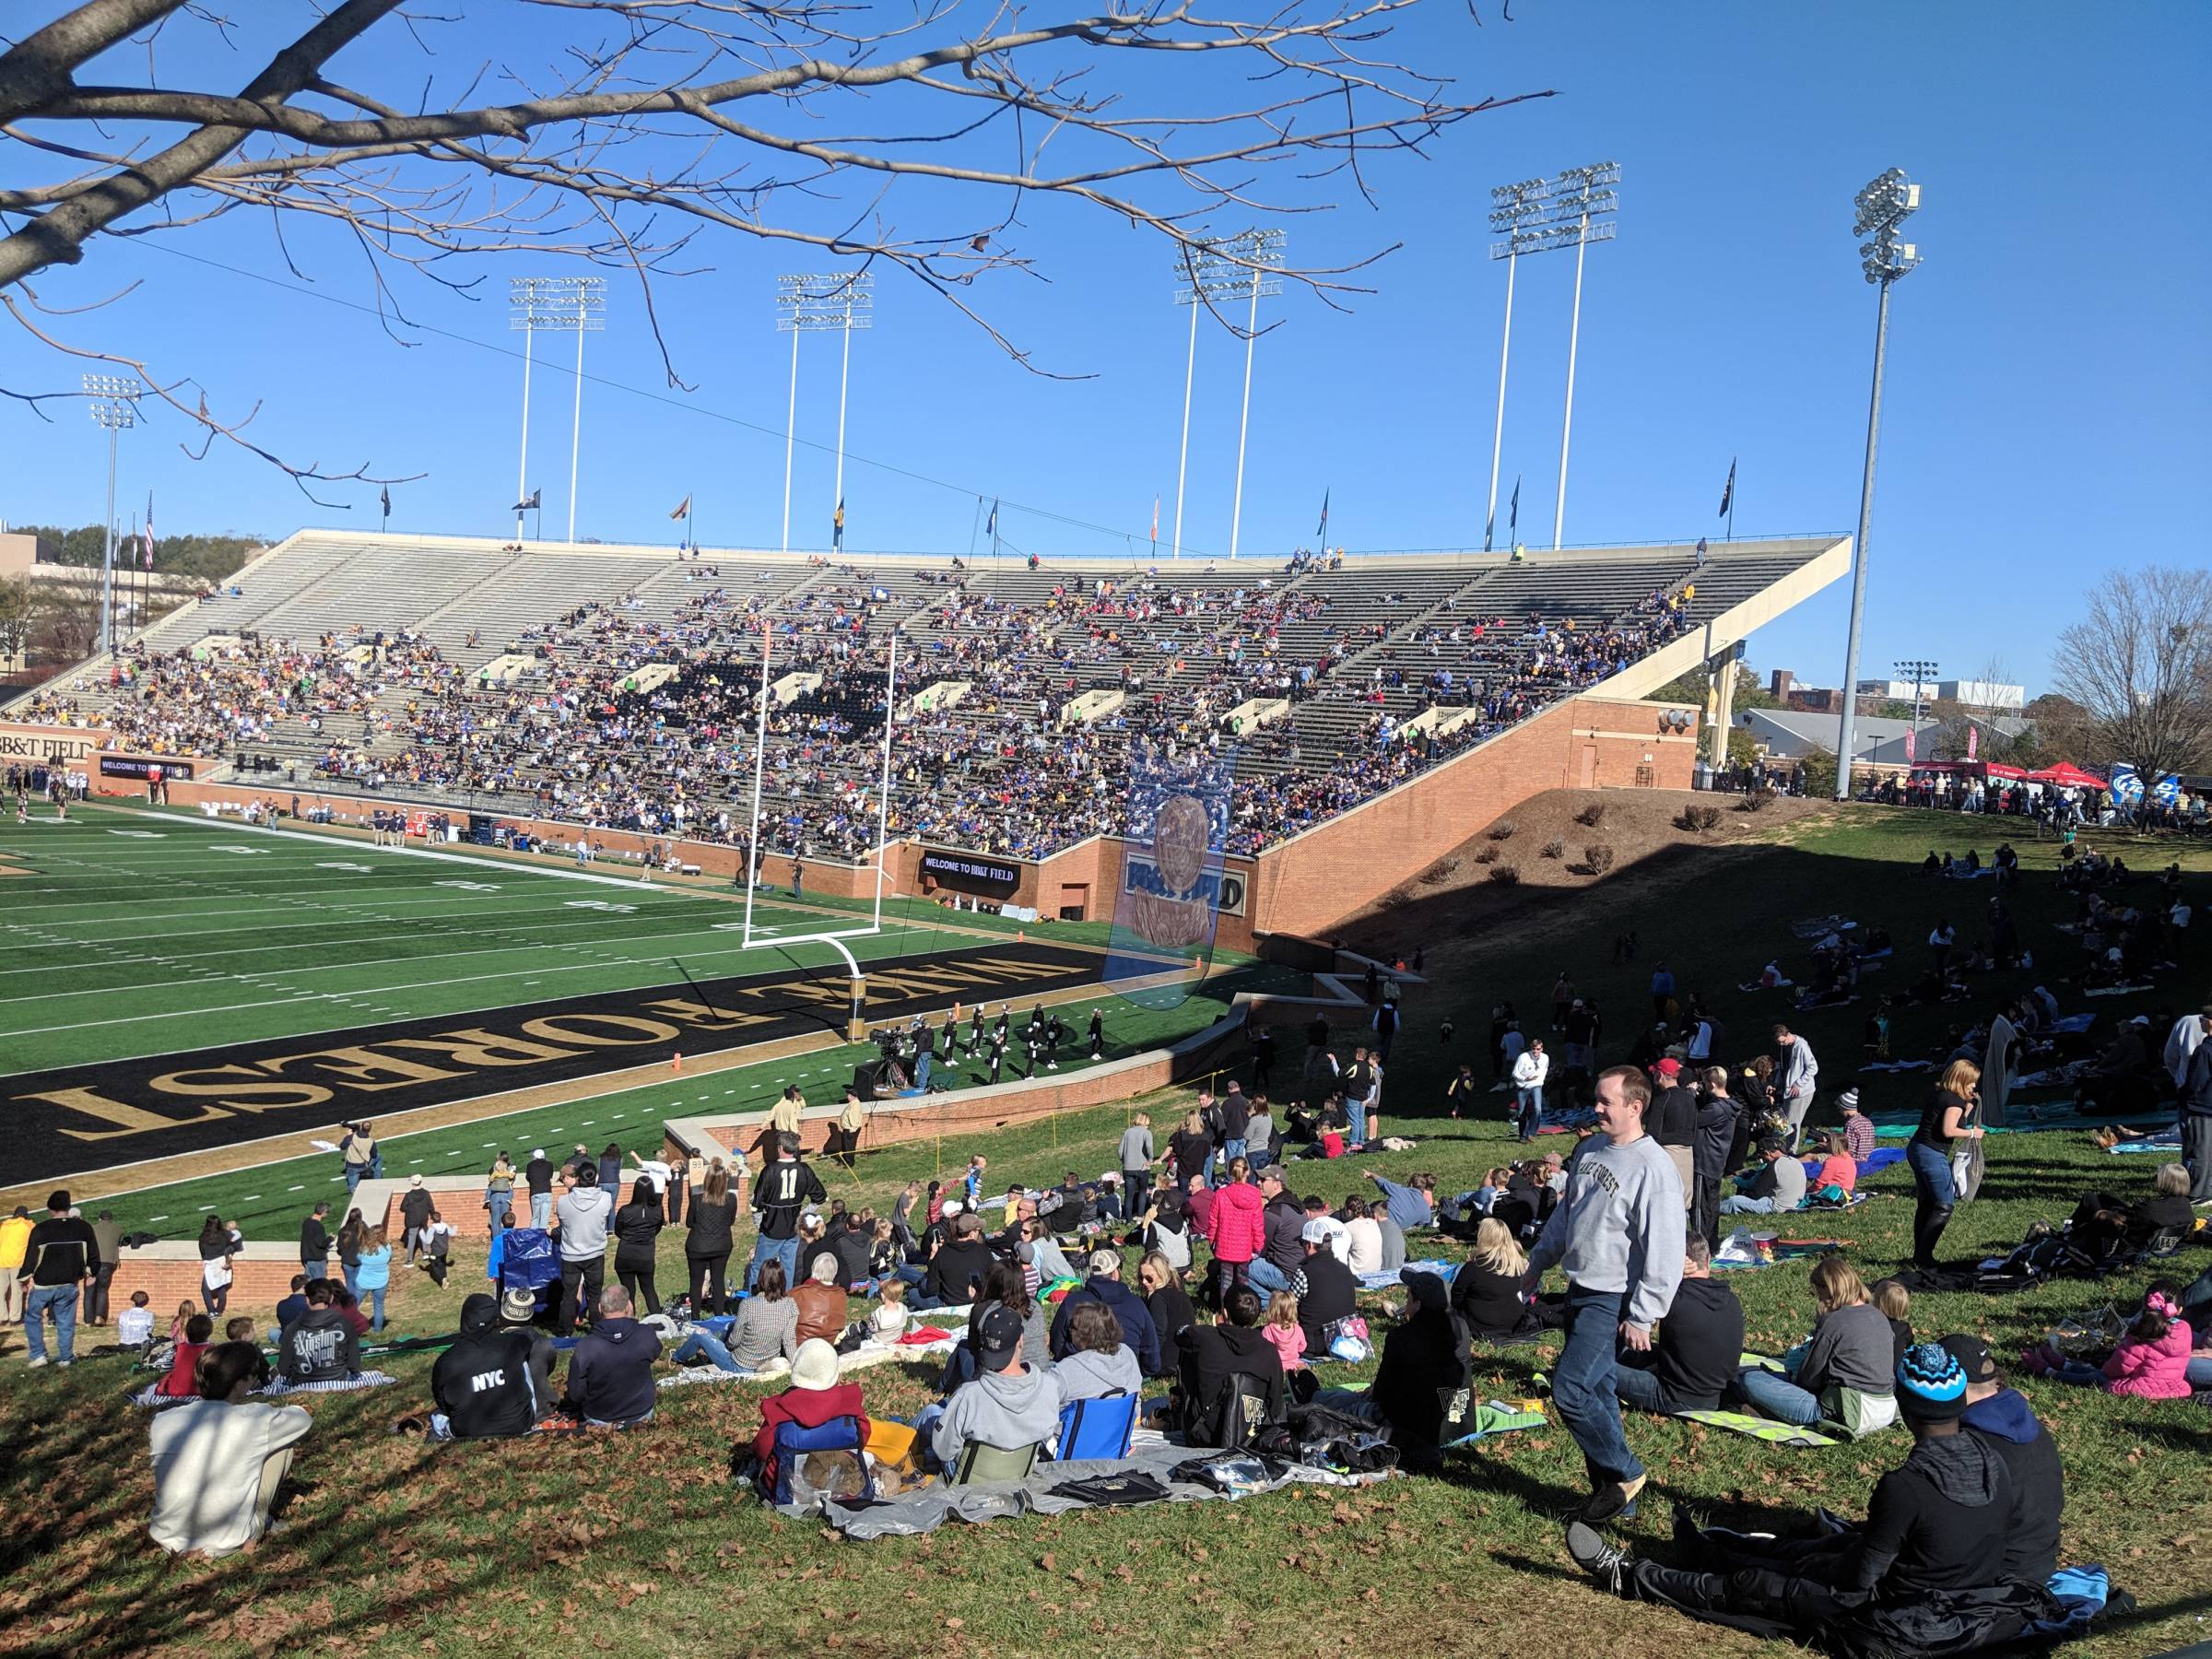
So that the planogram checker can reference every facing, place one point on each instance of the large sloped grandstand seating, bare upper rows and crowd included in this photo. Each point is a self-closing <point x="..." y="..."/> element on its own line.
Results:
<point x="623" y="689"/>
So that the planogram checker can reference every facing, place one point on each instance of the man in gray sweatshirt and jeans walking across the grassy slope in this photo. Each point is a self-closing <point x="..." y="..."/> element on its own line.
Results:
<point x="1618" y="1235"/>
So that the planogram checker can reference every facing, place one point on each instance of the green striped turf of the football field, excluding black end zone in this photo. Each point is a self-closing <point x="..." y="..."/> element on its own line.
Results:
<point x="138" y="935"/>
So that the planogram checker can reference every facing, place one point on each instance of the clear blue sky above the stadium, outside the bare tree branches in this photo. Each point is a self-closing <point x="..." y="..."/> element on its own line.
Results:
<point x="2047" y="410"/>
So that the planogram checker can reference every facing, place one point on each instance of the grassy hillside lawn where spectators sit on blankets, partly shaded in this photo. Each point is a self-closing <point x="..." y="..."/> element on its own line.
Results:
<point x="645" y="1545"/>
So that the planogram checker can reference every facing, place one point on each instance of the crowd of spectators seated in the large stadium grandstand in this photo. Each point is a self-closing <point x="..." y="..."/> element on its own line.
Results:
<point x="632" y="720"/>
